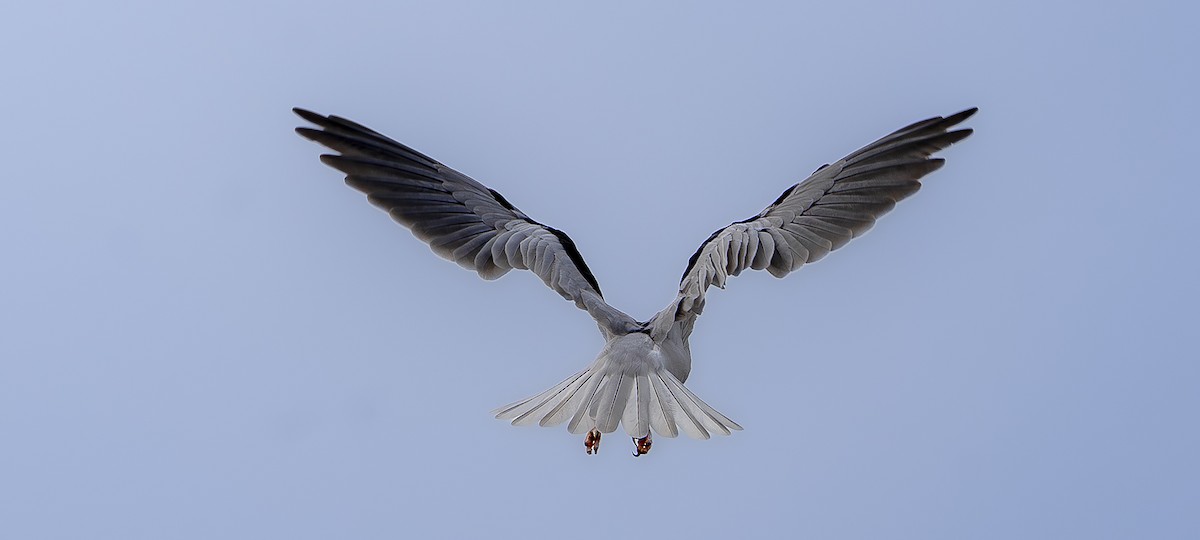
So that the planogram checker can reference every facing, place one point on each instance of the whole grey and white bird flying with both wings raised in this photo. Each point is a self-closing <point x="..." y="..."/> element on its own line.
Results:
<point x="638" y="380"/>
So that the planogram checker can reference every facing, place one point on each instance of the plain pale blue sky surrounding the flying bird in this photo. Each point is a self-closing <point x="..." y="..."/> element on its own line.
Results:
<point x="206" y="335"/>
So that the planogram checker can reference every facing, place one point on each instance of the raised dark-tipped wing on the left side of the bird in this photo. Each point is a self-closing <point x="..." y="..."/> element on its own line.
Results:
<point x="460" y="219"/>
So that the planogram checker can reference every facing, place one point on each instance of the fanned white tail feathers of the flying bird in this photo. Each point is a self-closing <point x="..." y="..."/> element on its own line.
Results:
<point x="605" y="394"/>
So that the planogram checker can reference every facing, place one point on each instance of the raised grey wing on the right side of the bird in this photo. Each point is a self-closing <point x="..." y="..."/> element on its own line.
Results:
<point x="837" y="203"/>
